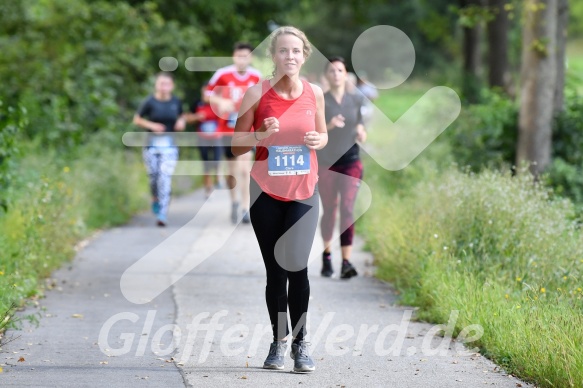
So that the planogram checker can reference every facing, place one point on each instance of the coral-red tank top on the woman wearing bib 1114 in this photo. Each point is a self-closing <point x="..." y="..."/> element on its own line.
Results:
<point x="296" y="117"/>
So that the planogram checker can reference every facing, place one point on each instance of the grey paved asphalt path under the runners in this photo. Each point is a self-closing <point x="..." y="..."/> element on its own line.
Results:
<point x="203" y="322"/>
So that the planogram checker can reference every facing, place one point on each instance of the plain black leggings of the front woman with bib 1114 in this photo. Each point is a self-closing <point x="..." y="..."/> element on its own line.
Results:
<point x="286" y="258"/>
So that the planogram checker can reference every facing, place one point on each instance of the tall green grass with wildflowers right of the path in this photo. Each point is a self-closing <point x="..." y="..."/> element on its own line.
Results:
<point x="506" y="254"/>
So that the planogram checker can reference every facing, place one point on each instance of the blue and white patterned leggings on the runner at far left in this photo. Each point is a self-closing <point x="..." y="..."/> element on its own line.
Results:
<point x="160" y="166"/>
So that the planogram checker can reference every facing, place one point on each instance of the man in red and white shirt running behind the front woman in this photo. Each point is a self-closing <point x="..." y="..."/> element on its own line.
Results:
<point x="225" y="92"/>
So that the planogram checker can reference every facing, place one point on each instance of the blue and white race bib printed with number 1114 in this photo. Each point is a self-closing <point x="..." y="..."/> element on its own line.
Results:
<point x="288" y="160"/>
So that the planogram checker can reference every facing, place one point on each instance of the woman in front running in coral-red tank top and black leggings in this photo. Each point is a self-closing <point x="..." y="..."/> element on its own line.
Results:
<point x="288" y="117"/>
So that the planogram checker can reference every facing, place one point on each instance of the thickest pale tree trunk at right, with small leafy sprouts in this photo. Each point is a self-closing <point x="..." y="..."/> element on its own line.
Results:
<point x="538" y="79"/>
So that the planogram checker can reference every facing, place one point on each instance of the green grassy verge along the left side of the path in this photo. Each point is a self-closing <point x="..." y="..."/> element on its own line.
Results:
<point x="55" y="201"/>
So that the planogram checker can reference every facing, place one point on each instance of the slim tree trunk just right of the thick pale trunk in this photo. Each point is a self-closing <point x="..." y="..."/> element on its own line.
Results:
<point x="562" y="22"/>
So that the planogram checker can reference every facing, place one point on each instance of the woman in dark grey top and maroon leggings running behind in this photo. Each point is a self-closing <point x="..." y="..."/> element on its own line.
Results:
<point x="340" y="167"/>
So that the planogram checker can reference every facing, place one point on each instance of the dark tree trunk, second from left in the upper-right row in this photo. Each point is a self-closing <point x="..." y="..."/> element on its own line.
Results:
<point x="498" y="44"/>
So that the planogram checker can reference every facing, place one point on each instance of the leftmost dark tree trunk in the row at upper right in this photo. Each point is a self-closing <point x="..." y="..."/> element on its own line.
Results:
<point x="472" y="58"/>
